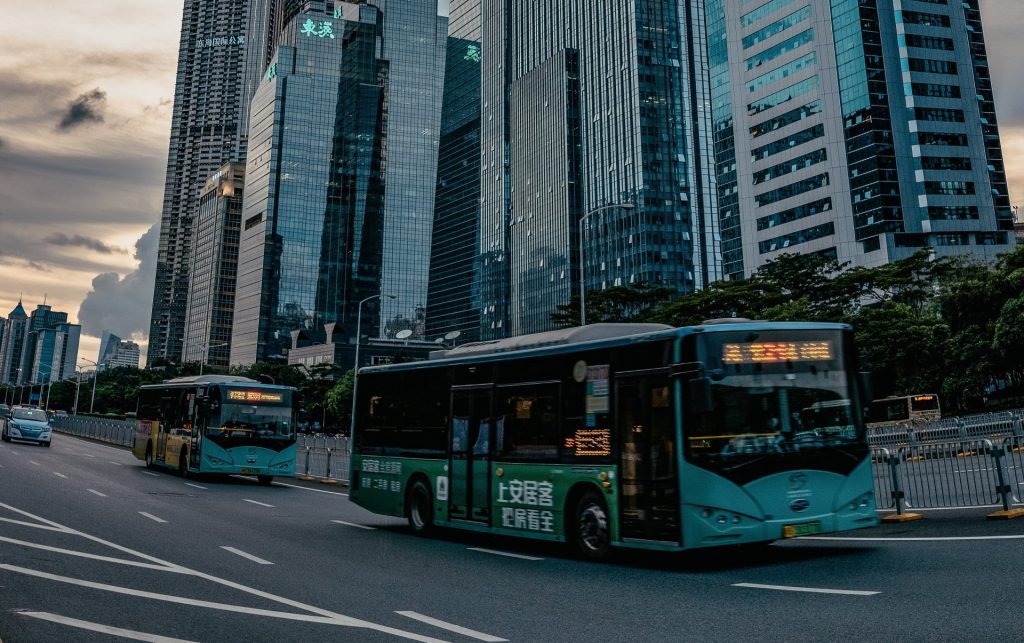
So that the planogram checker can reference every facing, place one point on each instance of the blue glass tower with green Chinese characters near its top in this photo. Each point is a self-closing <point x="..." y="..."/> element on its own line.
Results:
<point x="340" y="177"/>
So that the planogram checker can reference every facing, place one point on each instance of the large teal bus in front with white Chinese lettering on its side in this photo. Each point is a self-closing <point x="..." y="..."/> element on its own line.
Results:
<point x="623" y="436"/>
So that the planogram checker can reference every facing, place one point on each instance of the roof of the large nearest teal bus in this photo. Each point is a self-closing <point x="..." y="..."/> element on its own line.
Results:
<point x="590" y="336"/>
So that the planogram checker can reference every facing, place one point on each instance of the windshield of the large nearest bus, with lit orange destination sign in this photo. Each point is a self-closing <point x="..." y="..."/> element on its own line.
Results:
<point x="779" y="400"/>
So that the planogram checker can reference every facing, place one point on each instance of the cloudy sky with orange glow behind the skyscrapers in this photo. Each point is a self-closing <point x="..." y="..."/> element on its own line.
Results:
<point x="87" y="93"/>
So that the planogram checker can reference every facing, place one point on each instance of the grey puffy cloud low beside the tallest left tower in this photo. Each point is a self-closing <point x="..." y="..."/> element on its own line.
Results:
<point x="123" y="306"/>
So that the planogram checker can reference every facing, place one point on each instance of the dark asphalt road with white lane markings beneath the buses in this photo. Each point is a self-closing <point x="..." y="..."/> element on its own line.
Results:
<point x="96" y="548"/>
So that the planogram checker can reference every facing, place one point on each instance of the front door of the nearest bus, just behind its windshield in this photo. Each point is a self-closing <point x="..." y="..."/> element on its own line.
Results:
<point x="649" y="468"/>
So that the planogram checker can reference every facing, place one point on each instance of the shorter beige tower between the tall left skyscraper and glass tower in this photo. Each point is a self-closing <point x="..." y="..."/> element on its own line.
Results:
<point x="215" y="269"/>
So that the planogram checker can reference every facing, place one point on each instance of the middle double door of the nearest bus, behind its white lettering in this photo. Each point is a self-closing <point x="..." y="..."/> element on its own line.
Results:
<point x="470" y="465"/>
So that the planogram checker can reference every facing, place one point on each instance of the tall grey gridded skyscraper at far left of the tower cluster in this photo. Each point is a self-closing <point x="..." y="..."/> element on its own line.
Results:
<point x="205" y="135"/>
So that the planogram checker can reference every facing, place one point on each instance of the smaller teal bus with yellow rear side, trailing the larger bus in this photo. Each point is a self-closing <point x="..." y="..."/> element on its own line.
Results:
<point x="218" y="424"/>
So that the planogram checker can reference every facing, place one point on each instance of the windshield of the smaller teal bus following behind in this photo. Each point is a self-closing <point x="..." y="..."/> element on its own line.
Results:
<point x="236" y="413"/>
